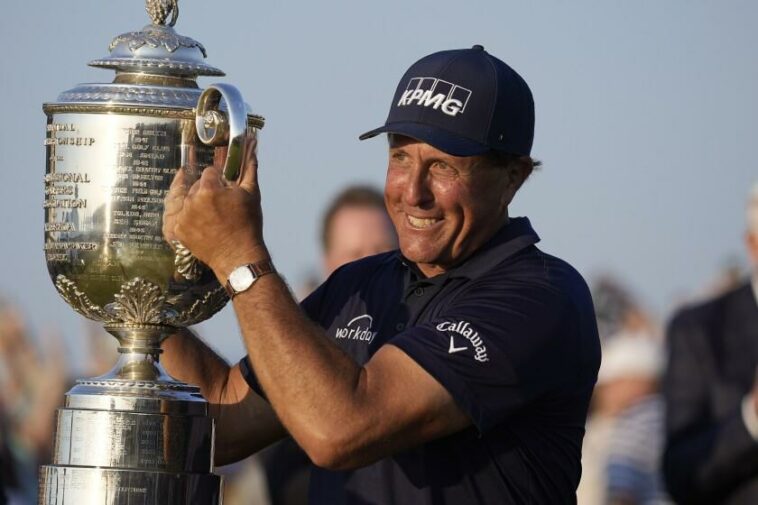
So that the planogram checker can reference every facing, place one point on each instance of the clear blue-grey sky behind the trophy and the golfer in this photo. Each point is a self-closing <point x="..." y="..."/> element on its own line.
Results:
<point x="646" y="117"/>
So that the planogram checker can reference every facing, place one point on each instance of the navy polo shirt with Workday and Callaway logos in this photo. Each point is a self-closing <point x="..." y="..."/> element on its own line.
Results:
<point x="510" y="333"/>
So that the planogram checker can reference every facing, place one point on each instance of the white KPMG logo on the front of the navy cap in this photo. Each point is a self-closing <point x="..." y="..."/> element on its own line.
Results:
<point x="437" y="94"/>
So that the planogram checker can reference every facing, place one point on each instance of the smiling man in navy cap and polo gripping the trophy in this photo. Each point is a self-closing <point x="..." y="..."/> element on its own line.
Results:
<point x="455" y="370"/>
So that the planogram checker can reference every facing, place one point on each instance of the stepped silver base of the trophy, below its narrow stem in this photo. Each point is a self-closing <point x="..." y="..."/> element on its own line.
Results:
<point x="127" y="442"/>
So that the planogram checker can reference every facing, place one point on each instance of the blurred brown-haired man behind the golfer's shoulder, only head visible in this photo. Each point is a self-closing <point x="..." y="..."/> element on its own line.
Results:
<point x="355" y="225"/>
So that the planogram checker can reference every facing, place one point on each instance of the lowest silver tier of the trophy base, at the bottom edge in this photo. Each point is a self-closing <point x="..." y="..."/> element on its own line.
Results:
<point x="71" y="485"/>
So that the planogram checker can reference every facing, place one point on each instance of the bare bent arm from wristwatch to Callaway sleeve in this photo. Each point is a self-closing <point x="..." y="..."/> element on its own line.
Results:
<point x="342" y="414"/>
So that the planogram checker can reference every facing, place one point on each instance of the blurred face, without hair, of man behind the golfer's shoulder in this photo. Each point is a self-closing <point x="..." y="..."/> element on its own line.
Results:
<point x="356" y="232"/>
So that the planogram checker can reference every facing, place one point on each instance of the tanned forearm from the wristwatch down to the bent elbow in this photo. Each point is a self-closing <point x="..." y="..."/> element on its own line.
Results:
<point x="312" y="385"/>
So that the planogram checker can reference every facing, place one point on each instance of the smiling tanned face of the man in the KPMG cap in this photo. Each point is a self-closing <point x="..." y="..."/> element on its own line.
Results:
<point x="443" y="207"/>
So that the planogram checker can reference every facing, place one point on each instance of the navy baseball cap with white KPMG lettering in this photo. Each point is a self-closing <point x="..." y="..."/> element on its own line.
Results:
<point x="463" y="102"/>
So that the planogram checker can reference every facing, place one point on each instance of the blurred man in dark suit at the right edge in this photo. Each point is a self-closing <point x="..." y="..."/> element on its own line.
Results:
<point x="711" y="394"/>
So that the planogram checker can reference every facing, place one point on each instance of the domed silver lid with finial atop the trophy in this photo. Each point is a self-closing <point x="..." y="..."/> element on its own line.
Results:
<point x="158" y="49"/>
